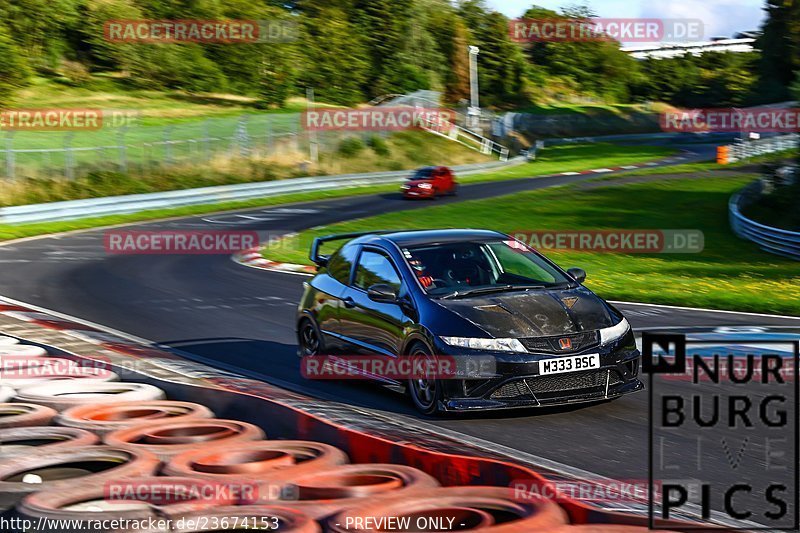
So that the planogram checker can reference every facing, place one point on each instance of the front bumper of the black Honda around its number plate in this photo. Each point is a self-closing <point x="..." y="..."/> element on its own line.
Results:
<point x="516" y="383"/>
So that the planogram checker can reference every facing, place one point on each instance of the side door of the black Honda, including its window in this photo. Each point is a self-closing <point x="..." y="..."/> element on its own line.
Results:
<point x="370" y="327"/>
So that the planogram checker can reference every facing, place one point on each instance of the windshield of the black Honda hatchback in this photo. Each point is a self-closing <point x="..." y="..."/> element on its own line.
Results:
<point x="471" y="268"/>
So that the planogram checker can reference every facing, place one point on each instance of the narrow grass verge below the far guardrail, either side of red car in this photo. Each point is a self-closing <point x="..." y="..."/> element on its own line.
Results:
<point x="562" y="158"/>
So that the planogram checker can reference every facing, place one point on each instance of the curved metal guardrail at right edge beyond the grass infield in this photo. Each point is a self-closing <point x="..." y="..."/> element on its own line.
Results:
<point x="772" y="240"/>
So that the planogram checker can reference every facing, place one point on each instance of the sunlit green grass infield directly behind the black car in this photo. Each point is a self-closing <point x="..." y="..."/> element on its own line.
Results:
<point x="729" y="274"/>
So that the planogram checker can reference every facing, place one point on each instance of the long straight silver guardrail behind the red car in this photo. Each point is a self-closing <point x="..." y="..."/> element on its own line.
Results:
<point x="119" y="205"/>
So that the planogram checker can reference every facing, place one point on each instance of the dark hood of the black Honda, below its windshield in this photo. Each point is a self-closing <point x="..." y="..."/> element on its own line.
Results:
<point x="535" y="313"/>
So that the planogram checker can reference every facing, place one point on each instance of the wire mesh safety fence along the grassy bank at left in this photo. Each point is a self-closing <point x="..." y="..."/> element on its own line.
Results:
<point x="132" y="148"/>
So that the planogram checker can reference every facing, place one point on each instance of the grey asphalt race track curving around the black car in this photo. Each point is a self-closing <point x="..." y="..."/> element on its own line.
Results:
<point x="241" y="318"/>
